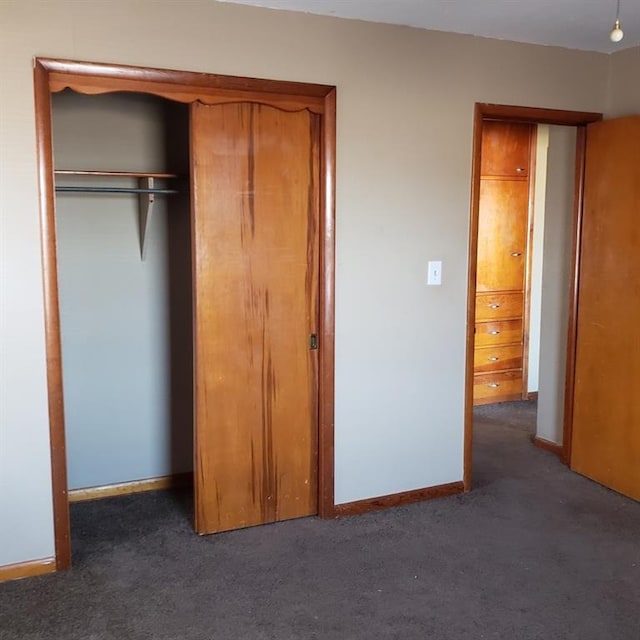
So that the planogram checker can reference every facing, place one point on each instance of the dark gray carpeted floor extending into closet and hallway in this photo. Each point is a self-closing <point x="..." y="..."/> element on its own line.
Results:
<point x="534" y="552"/>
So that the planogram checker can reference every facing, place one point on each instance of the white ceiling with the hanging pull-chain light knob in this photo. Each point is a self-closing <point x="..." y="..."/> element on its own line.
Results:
<point x="575" y="24"/>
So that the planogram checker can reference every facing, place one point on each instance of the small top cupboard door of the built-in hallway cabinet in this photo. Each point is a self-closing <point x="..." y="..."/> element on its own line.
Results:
<point x="506" y="149"/>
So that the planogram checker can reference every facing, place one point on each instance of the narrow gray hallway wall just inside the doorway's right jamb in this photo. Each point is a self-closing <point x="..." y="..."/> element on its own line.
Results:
<point x="556" y="276"/>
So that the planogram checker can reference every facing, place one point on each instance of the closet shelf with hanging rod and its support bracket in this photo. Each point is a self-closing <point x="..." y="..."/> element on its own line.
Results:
<point x="146" y="191"/>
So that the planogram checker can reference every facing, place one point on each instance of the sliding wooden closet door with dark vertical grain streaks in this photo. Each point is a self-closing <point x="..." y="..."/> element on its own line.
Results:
<point x="255" y="172"/>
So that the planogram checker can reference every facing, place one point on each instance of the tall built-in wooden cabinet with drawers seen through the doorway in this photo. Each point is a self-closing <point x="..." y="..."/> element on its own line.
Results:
<point x="503" y="239"/>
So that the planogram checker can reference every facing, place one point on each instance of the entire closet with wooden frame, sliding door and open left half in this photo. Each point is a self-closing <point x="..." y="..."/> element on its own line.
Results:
<point x="188" y="264"/>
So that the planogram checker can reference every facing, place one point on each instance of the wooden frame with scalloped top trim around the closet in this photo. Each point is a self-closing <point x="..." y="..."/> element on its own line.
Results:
<point x="52" y="76"/>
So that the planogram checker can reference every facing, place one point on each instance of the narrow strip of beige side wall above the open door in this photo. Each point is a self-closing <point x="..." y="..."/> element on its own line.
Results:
<point x="623" y="97"/>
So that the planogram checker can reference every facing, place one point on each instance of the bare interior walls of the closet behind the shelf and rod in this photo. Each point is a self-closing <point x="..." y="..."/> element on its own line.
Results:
<point x="125" y="322"/>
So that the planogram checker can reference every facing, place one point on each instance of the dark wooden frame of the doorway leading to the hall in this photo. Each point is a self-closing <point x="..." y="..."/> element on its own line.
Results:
<point x="533" y="115"/>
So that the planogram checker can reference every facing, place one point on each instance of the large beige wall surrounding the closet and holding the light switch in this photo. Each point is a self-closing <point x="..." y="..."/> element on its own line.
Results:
<point x="405" y="111"/>
